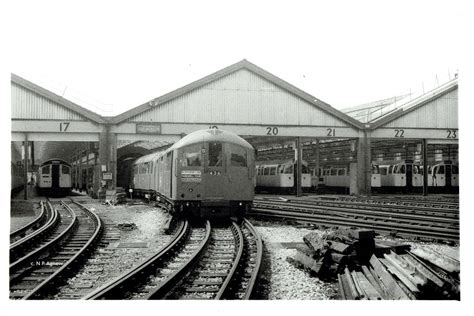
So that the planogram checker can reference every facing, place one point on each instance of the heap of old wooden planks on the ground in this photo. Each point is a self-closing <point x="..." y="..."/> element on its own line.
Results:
<point x="368" y="268"/>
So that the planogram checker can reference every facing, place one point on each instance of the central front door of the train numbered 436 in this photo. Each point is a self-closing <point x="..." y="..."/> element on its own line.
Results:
<point x="214" y="172"/>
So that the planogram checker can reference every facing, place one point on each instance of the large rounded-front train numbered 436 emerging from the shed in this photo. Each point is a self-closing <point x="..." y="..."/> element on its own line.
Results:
<point x="208" y="173"/>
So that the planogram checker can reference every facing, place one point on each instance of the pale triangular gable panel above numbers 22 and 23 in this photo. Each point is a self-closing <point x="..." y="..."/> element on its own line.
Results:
<point x="439" y="113"/>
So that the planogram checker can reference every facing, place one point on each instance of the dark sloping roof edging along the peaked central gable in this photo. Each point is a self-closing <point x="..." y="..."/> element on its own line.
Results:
<point x="244" y="64"/>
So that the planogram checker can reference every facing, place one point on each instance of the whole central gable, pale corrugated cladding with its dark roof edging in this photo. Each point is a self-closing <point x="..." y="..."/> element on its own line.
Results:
<point x="240" y="93"/>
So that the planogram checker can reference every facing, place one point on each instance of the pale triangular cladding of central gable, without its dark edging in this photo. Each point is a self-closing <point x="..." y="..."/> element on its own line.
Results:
<point x="241" y="97"/>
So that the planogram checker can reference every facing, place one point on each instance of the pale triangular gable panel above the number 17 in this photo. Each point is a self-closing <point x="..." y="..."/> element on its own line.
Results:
<point x="29" y="105"/>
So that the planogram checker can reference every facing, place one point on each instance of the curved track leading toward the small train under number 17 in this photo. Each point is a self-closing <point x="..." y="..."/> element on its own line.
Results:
<point x="38" y="272"/>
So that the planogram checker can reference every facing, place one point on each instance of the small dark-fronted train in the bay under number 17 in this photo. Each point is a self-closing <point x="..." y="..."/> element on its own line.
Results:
<point x="54" y="178"/>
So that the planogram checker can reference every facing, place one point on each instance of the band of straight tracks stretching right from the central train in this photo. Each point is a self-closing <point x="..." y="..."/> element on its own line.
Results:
<point x="395" y="221"/>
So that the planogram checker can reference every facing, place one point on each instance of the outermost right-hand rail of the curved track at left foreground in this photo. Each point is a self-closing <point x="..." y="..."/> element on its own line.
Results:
<point x="66" y="267"/>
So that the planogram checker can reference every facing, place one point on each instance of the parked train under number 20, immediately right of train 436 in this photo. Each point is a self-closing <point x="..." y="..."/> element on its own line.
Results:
<point x="280" y="175"/>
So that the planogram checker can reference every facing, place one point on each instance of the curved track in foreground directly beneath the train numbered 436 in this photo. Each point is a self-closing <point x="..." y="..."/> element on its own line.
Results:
<point x="200" y="262"/>
